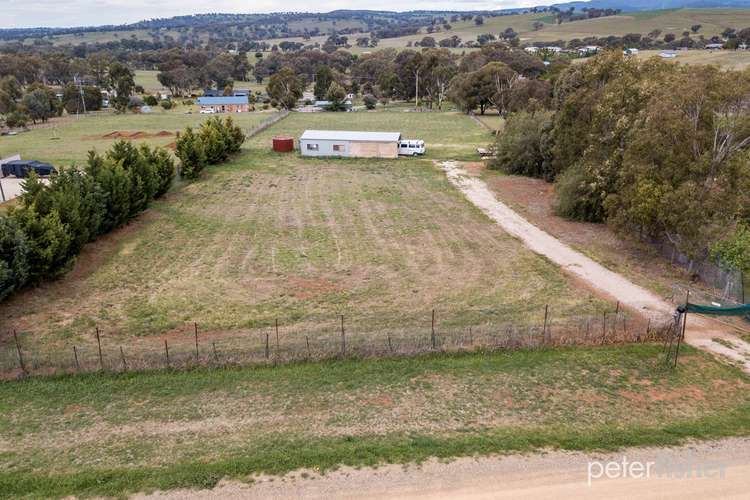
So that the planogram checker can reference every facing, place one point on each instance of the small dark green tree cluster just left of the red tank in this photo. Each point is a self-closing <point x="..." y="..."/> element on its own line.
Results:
<point x="213" y="143"/>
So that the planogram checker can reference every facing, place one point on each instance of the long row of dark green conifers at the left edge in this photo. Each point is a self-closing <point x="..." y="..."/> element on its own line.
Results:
<point x="41" y="237"/>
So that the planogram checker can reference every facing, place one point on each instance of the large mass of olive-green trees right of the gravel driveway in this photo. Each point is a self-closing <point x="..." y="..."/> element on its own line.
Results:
<point x="656" y="150"/>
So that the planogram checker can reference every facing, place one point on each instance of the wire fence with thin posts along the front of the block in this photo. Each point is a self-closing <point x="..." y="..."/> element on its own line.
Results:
<point x="339" y="337"/>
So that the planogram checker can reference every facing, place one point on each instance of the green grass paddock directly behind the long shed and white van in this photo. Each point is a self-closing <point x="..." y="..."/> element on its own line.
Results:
<point x="448" y="135"/>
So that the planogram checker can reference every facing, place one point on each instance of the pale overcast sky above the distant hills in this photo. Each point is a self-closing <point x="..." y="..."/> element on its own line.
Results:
<point x="32" y="13"/>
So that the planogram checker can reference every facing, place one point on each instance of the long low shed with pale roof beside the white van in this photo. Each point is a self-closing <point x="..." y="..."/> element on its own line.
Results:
<point x="349" y="144"/>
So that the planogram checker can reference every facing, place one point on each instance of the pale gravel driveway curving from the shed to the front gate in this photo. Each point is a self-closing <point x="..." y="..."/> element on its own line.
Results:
<point x="700" y="332"/>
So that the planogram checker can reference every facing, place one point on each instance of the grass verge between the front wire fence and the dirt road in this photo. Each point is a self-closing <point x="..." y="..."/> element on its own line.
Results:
<point x="108" y="434"/>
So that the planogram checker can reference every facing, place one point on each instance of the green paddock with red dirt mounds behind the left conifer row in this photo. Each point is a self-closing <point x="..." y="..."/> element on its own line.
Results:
<point x="68" y="139"/>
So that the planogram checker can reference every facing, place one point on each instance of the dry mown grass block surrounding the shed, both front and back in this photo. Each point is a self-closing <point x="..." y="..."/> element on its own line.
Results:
<point x="279" y="236"/>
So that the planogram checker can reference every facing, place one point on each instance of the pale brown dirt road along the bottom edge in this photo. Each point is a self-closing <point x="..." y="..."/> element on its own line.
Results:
<point x="559" y="475"/>
